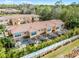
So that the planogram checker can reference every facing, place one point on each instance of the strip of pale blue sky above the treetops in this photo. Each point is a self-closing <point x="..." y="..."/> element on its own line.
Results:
<point x="47" y="2"/>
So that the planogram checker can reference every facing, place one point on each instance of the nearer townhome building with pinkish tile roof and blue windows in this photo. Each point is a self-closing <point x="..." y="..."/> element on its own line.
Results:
<point x="31" y="30"/>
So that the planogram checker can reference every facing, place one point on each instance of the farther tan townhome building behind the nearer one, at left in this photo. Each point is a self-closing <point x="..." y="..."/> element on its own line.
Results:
<point x="18" y="19"/>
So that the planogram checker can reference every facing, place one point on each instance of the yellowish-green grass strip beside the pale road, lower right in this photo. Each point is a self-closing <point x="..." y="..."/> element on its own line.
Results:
<point x="62" y="50"/>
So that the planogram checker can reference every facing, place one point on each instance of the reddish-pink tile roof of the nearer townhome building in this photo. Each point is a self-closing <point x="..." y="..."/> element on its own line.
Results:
<point x="34" y="26"/>
